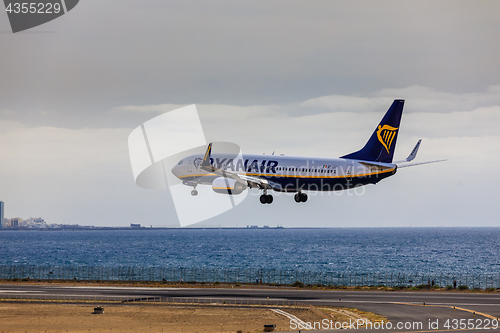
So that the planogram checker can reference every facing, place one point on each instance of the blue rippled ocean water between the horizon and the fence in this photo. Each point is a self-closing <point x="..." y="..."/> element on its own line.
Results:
<point x="367" y="250"/>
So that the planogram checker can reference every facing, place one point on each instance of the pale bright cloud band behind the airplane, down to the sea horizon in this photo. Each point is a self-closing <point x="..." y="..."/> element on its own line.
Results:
<point x="85" y="173"/>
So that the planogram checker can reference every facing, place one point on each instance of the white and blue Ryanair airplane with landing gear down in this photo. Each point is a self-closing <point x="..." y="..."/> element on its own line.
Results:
<point x="231" y="174"/>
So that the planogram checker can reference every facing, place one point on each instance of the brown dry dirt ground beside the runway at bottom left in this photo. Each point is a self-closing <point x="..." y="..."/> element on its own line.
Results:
<point x="60" y="317"/>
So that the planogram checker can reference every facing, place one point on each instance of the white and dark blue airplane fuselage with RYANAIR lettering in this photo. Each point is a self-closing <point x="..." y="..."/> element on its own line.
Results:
<point x="288" y="173"/>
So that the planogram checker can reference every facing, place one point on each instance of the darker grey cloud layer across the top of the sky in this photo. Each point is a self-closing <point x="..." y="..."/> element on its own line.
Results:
<point x="245" y="54"/>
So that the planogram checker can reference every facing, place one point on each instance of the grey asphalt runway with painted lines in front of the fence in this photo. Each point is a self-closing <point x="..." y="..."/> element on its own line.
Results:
<point x="405" y="310"/>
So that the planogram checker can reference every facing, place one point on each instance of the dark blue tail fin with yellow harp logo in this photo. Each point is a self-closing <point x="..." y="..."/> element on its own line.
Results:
<point x="382" y="143"/>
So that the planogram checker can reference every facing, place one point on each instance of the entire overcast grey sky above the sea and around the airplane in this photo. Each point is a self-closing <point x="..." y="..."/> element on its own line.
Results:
<point x="300" y="78"/>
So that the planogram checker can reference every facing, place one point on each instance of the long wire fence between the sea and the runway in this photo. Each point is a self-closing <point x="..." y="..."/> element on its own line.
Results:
<point x="247" y="275"/>
